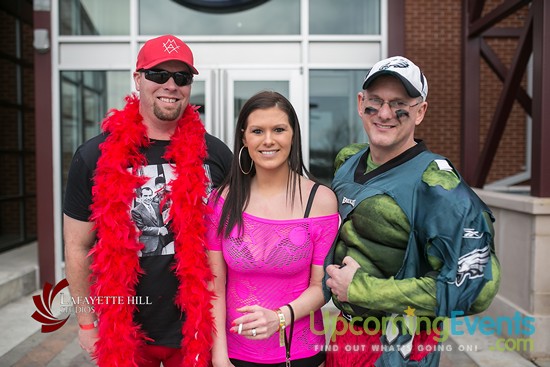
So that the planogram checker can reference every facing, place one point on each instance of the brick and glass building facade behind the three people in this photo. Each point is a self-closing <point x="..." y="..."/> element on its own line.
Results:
<point x="64" y="63"/>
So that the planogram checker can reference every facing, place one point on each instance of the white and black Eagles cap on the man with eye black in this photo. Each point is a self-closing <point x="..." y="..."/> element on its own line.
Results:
<point x="405" y="70"/>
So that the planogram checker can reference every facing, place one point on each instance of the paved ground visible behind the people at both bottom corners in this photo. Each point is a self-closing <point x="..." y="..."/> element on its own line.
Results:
<point x="22" y="344"/>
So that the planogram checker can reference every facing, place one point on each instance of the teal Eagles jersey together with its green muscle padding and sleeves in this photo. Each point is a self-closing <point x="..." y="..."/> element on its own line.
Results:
<point x="421" y="235"/>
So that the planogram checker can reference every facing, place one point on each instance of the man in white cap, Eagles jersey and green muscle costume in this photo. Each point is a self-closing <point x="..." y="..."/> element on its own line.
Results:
<point x="416" y="242"/>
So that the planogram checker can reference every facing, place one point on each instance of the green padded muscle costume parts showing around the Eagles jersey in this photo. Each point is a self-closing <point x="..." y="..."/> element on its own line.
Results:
<point x="376" y="237"/>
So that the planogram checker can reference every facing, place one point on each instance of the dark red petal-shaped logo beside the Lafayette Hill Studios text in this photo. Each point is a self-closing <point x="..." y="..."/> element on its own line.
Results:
<point x="44" y="307"/>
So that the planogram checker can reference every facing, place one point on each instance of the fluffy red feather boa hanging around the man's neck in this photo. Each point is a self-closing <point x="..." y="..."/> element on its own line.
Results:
<point x="115" y="262"/>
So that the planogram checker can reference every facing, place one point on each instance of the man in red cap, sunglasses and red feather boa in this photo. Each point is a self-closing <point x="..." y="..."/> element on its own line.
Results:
<point x="147" y="310"/>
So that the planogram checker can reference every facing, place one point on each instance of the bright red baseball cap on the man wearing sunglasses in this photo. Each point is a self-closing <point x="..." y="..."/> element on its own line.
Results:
<point x="164" y="48"/>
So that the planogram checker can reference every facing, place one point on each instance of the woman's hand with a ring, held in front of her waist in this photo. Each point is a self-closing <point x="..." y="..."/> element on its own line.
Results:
<point x="257" y="323"/>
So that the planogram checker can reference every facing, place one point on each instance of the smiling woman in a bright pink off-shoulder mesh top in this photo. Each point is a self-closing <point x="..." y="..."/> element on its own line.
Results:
<point x="271" y="228"/>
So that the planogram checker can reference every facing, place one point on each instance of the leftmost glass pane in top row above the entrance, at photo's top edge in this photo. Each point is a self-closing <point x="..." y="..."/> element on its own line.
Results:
<point x="94" y="17"/>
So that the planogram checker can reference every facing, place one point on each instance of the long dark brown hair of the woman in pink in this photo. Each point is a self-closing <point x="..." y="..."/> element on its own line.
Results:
<point x="237" y="183"/>
